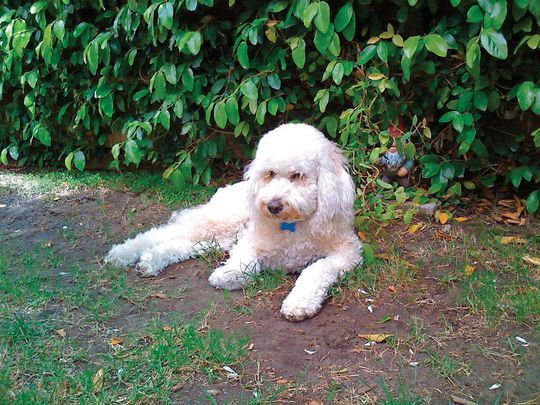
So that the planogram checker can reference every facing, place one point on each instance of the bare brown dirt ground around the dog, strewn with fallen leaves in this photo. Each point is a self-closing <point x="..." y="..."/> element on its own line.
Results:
<point x="321" y="359"/>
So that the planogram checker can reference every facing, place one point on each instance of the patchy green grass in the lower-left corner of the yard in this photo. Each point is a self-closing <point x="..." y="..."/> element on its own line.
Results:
<point x="55" y="346"/>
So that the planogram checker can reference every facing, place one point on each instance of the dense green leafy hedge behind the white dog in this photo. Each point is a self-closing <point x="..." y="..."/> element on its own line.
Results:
<point x="188" y="83"/>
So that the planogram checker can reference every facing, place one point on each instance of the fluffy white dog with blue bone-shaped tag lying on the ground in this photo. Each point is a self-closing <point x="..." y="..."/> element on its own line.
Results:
<point x="294" y="211"/>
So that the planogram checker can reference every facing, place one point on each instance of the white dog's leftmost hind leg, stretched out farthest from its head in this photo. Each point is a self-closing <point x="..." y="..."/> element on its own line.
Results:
<point x="129" y="252"/>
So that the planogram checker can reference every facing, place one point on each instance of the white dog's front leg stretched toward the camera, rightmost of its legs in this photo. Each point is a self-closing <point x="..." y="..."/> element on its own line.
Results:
<point x="309" y="292"/>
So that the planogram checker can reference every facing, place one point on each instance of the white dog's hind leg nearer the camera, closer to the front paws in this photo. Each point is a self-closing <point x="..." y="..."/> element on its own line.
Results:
<point x="156" y="258"/>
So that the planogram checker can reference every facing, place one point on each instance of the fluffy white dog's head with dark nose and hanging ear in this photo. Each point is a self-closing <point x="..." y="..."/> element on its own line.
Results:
<point x="299" y="175"/>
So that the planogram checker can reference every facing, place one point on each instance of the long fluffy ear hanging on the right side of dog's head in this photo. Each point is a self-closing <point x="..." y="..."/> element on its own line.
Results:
<point x="335" y="193"/>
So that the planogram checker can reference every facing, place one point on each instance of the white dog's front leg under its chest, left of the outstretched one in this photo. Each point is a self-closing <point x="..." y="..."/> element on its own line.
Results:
<point x="240" y="266"/>
